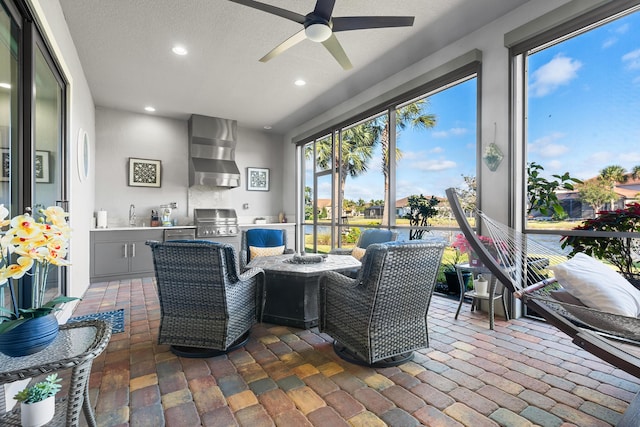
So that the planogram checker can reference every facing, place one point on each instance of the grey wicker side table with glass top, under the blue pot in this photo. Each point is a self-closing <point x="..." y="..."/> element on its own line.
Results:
<point x="74" y="348"/>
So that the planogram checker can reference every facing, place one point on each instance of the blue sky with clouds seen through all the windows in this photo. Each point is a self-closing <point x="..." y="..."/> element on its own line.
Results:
<point x="583" y="115"/>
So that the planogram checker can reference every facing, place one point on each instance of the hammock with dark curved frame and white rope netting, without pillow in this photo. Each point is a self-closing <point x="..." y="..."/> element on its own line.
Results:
<point x="521" y="265"/>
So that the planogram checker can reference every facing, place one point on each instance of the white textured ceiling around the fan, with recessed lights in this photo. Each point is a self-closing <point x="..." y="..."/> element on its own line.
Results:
<point x="125" y="50"/>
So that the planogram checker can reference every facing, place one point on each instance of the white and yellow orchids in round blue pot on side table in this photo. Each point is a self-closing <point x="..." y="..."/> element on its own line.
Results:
<point x="31" y="247"/>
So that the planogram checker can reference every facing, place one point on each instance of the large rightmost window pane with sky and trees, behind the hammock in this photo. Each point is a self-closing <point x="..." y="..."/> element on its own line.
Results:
<point x="582" y="118"/>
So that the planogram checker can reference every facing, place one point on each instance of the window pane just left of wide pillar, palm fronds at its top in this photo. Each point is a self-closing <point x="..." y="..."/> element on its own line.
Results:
<point x="436" y="148"/>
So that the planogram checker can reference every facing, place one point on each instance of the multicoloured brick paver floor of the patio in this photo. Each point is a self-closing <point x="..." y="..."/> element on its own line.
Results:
<point x="524" y="373"/>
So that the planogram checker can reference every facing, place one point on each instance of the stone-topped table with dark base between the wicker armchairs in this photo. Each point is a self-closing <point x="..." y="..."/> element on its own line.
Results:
<point x="292" y="289"/>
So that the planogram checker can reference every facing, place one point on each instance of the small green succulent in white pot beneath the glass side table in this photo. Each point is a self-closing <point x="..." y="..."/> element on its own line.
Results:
<point x="37" y="402"/>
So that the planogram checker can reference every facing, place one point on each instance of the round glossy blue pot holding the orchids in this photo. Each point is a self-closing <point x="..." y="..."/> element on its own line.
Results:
<point x="30" y="337"/>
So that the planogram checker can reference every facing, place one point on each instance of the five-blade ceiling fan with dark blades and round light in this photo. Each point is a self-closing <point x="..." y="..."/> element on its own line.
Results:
<point x="320" y="26"/>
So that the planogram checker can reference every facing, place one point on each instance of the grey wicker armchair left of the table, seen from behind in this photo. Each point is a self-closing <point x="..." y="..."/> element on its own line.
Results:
<point x="207" y="308"/>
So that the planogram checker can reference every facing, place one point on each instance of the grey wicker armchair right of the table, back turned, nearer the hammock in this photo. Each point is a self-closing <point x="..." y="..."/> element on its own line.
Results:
<point x="380" y="317"/>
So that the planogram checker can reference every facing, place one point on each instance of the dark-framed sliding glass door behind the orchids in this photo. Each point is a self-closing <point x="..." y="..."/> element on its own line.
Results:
<point x="32" y="131"/>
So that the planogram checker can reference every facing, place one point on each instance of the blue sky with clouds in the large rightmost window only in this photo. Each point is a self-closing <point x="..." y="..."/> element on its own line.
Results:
<point x="584" y="106"/>
